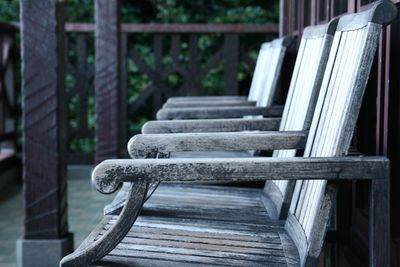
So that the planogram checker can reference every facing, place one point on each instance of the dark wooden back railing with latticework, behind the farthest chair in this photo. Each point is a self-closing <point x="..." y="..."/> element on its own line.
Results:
<point x="158" y="61"/>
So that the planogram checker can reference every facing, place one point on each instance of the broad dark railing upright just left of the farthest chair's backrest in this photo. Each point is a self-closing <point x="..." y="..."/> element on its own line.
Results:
<point x="231" y="64"/>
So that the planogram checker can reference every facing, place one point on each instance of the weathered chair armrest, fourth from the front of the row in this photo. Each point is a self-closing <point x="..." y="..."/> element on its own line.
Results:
<point x="218" y="112"/>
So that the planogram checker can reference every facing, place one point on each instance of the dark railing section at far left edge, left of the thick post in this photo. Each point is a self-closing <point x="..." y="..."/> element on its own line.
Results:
<point x="9" y="110"/>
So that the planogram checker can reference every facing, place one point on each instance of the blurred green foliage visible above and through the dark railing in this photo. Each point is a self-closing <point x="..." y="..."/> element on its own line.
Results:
<point x="160" y="11"/>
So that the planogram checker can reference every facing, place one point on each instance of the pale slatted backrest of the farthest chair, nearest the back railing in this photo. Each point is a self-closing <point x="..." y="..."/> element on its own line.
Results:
<point x="267" y="71"/>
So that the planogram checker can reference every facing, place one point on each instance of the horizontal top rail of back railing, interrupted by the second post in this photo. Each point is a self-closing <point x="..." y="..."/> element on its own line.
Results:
<point x="181" y="28"/>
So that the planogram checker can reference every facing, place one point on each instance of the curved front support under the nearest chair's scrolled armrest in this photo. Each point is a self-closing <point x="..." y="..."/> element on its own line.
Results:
<point x="93" y="250"/>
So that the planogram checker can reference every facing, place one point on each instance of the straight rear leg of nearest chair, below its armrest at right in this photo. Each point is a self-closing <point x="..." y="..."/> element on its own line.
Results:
<point x="379" y="236"/>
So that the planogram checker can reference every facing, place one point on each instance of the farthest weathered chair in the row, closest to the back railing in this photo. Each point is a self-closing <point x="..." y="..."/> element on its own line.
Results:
<point x="263" y="88"/>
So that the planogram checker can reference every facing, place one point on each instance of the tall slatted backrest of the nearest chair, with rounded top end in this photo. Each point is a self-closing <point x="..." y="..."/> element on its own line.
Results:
<point x="334" y="119"/>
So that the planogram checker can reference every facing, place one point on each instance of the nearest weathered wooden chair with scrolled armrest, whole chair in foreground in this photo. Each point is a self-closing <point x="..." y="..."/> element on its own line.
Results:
<point x="254" y="238"/>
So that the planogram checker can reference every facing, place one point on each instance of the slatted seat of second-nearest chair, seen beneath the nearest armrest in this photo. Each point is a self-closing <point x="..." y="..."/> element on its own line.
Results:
<point x="204" y="202"/>
